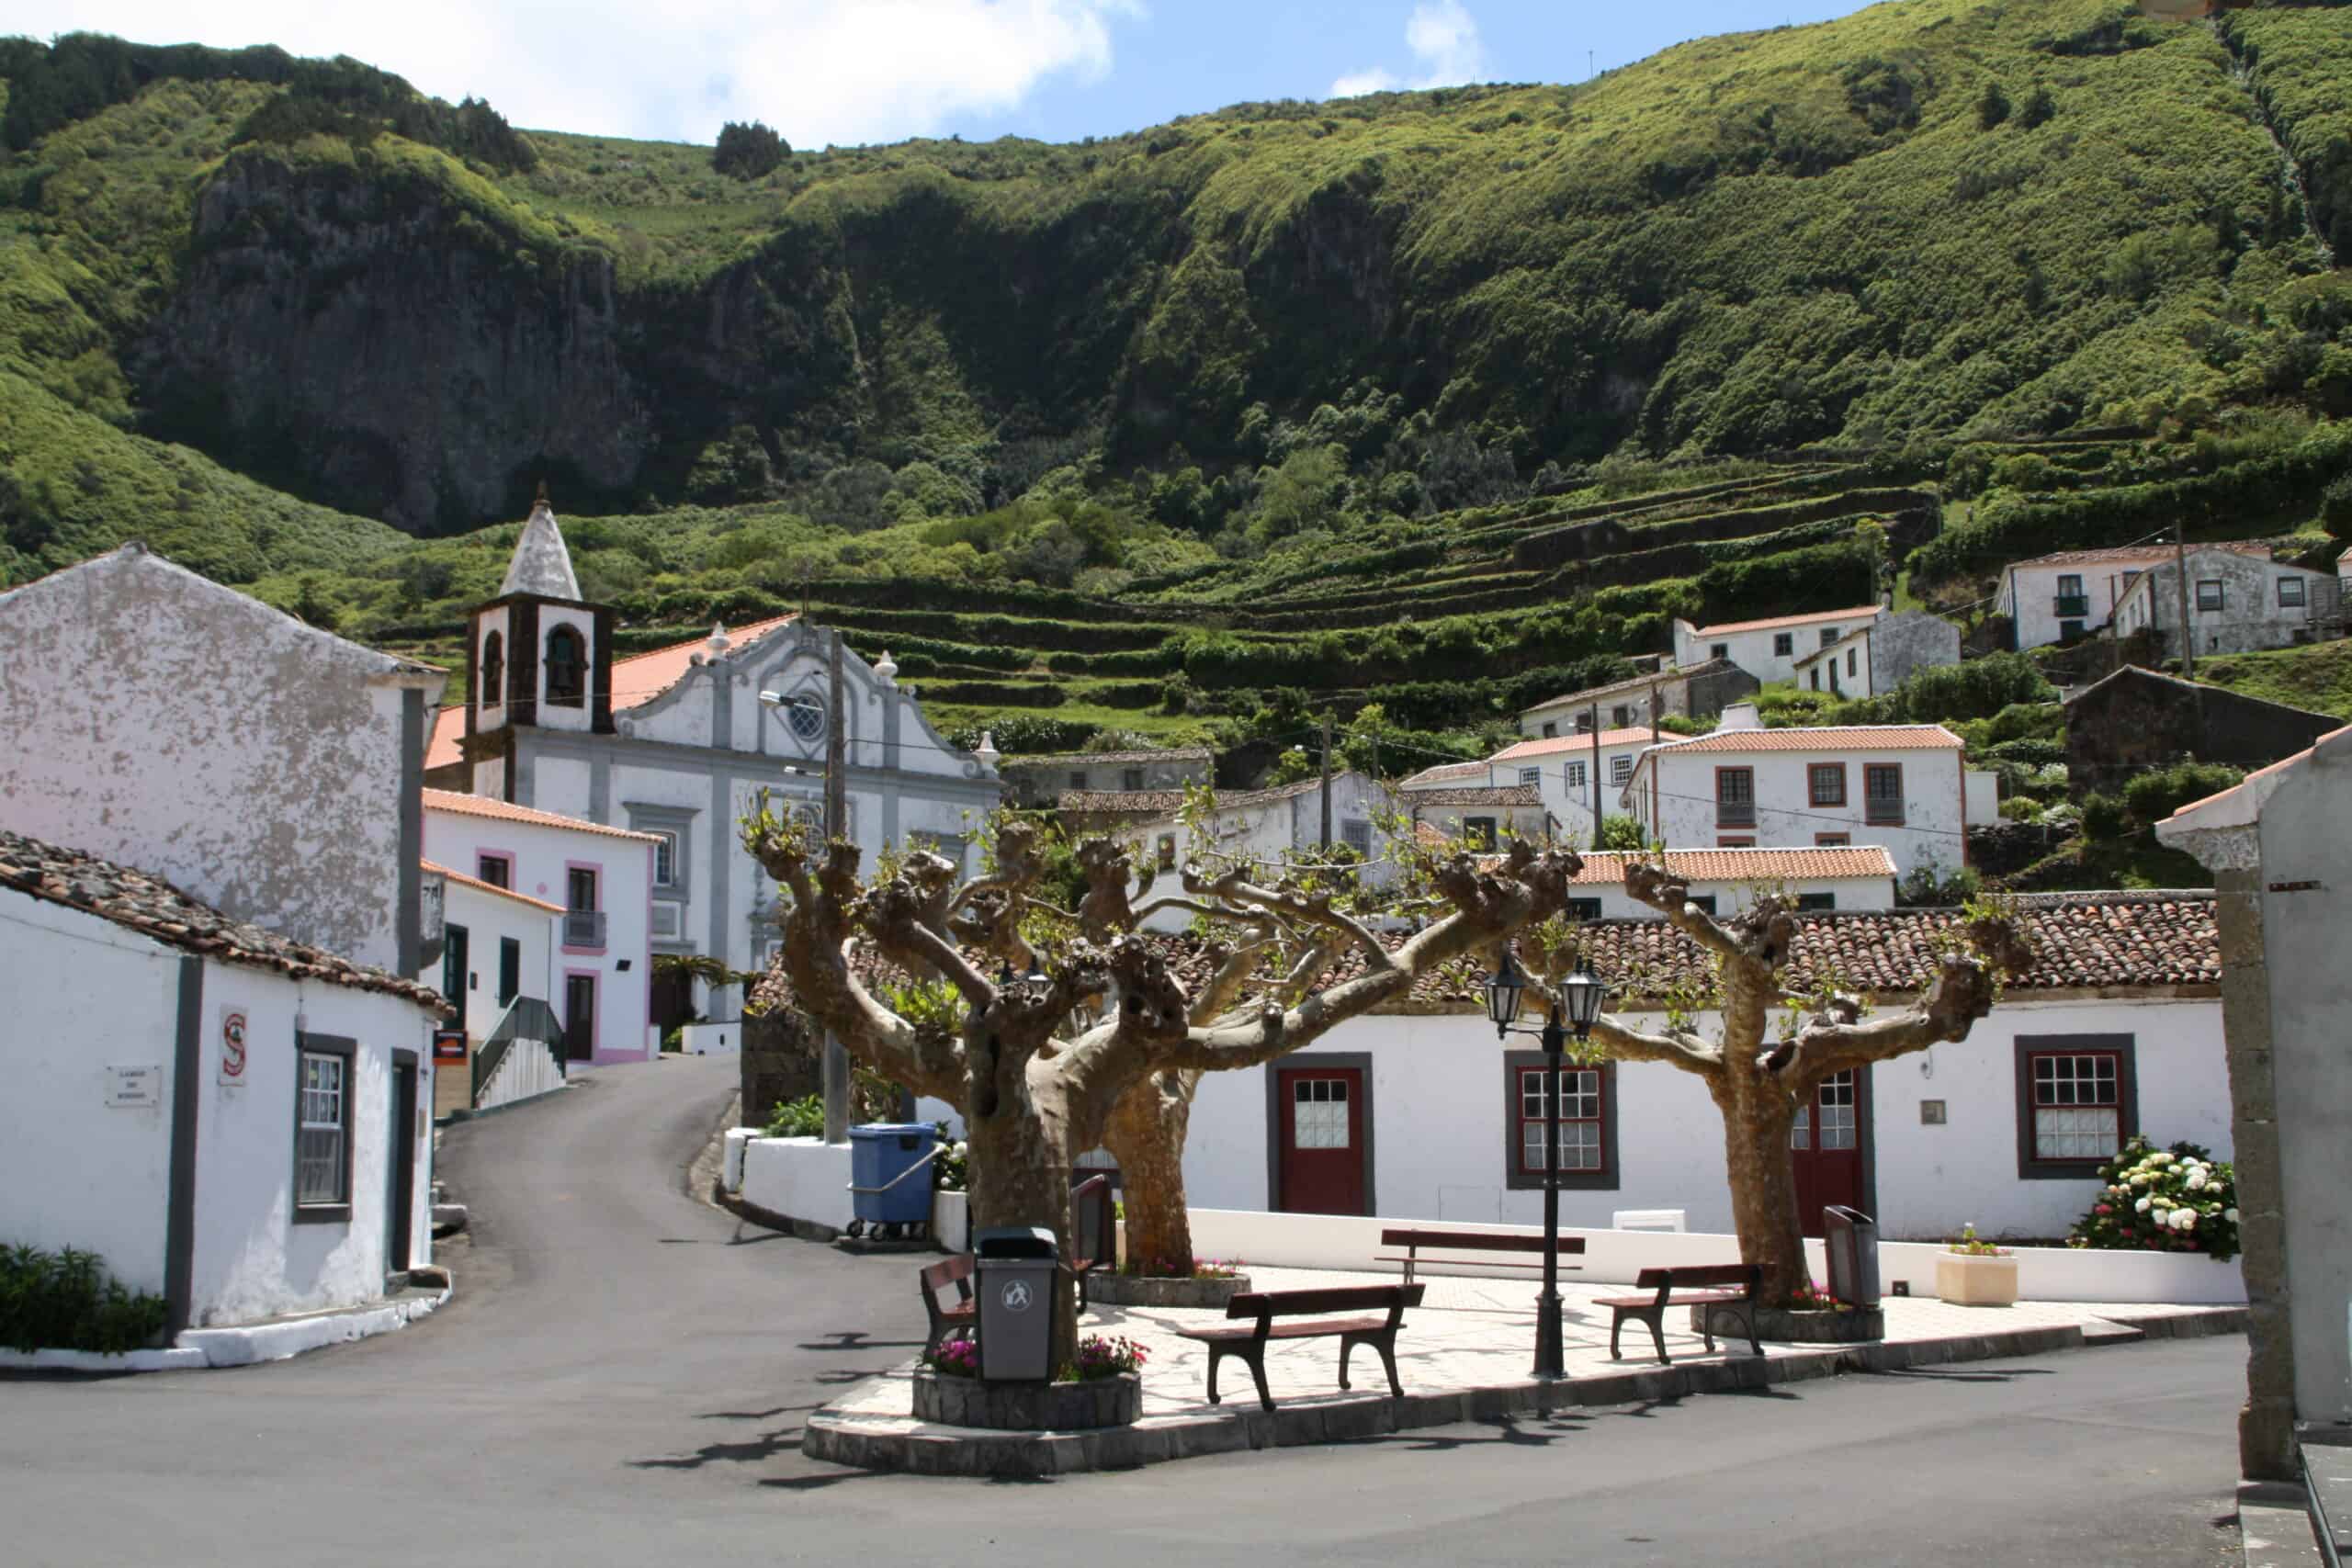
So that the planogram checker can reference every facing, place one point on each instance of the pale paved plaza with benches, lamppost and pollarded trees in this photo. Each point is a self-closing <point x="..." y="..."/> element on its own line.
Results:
<point x="1464" y="1353"/>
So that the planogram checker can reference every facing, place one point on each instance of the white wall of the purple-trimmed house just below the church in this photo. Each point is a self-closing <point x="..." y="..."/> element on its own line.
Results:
<point x="624" y="890"/>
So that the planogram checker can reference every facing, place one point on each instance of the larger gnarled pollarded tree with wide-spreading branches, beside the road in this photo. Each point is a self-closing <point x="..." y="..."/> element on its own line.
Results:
<point x="1041" y="1054"/>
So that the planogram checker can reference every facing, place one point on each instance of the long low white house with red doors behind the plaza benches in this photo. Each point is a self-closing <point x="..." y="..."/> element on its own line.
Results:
<point x="2116" y="1031"/>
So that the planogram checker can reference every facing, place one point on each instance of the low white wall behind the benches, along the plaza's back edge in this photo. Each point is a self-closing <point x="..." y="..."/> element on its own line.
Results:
<point x="1615" y="1257"/>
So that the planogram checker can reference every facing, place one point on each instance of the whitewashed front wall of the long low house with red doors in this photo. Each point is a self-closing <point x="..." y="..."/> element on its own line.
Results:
<point x="1438" y="1118"/>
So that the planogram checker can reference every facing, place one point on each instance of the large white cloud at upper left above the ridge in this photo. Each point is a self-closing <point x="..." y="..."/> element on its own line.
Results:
<point x="820" y="72"/>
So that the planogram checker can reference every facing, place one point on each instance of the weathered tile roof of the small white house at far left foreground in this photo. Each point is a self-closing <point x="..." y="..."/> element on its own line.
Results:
<point x="159" y="911"/>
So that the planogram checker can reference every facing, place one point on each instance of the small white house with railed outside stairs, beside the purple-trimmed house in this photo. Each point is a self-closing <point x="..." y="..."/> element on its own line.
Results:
<point x="497" y="967"/>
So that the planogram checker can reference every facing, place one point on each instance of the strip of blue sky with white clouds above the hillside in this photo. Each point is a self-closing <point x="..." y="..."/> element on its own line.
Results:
<point x="853" y="72"/>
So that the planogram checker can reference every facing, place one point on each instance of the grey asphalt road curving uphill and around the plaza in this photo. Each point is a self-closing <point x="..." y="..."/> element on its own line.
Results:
<point x="624" y="1374"/>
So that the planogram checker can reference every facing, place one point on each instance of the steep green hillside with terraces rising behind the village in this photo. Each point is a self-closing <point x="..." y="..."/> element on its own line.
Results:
<point x="1436" y="398"/>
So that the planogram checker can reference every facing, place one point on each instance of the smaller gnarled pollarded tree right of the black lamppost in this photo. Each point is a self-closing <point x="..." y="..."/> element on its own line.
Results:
<point x="1763" y="1076"/>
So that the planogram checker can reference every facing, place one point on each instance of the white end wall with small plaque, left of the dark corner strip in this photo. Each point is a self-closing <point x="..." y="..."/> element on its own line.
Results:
<point x="72" y="1170"/>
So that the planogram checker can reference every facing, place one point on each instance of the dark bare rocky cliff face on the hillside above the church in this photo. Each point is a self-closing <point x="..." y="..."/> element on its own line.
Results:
<point x="370" y="344"/>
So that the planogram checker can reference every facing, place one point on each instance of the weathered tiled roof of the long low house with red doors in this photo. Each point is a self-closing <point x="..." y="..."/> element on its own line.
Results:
<point x="2080" y="942"/>
